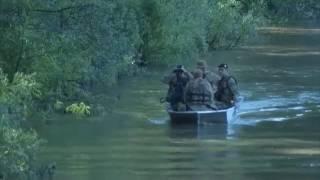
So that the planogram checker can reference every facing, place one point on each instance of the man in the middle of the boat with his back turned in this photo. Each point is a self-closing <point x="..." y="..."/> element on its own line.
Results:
<point x="198" y="93"/>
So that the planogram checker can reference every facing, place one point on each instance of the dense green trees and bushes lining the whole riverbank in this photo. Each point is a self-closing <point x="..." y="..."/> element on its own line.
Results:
<point x="60" y="50"/>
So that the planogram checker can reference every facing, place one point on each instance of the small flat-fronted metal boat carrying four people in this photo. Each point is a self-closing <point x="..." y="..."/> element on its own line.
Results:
<point x="197" y="117"/>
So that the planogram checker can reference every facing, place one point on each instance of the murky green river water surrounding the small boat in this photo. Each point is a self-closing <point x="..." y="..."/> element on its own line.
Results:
<point x="277" y="134"/>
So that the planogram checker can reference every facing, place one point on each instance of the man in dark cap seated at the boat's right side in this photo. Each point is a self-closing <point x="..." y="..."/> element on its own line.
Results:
<point x="227" y="94"/>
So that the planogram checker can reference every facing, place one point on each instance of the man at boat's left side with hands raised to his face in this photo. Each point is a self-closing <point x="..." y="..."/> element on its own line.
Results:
<point x="177" y="82"/>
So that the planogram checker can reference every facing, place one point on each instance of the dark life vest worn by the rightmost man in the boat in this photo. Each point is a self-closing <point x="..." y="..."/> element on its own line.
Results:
<point x="224" y="92"/>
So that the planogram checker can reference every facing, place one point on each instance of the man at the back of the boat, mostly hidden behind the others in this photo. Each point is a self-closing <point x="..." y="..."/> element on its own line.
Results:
<point x="213" y="78"/>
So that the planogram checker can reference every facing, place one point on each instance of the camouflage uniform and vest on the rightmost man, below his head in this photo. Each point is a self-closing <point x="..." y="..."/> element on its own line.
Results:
<point x="227" y="94"/>
